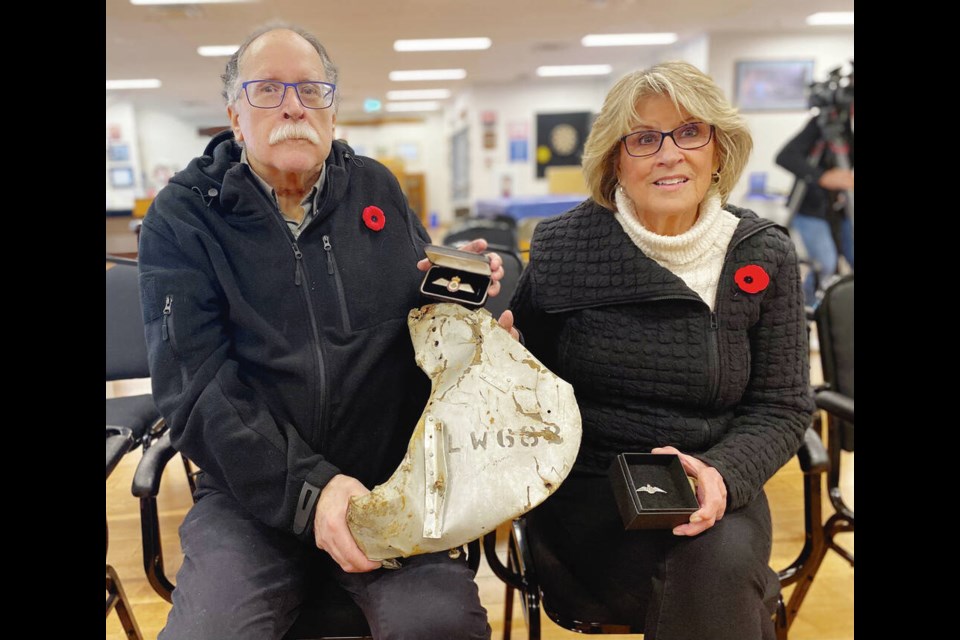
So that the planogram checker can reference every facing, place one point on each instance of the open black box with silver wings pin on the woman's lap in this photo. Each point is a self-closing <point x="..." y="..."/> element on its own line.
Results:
<point x="652" y="491"/>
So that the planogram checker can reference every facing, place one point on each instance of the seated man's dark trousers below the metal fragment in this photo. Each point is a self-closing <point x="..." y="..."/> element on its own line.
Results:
<point x="241" y="579"/>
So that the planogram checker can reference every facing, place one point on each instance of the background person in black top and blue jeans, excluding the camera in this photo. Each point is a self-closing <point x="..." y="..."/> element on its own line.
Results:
<point x="821" y="219"/>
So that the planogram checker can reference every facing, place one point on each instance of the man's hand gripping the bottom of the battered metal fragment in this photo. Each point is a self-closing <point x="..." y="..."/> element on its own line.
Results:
<point x="330" y="530"/>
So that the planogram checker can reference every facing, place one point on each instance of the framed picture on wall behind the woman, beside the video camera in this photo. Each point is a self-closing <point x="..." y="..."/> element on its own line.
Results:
<point x="773" y="85"/>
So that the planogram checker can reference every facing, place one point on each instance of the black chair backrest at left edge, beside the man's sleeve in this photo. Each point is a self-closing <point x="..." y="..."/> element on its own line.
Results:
<point x="126" y="353"/>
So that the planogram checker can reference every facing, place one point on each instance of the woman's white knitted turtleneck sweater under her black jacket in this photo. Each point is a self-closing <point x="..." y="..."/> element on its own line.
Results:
<point x="696" y="255"/>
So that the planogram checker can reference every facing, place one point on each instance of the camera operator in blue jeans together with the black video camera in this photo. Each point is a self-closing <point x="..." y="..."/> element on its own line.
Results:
<point x="821" y="158"/>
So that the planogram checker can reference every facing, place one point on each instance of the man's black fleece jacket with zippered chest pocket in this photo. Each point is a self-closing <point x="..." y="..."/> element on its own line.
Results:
<point x="280" y="362"/>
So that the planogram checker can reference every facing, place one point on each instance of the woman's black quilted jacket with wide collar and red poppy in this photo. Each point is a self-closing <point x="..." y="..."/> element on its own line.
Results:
<point x="652" y="365"/>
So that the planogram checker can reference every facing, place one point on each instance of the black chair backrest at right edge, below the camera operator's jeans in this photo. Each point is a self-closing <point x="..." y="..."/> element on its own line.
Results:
<point x="834" y="318"/>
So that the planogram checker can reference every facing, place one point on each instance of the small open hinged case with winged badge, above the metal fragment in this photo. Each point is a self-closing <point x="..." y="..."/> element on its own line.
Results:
<point x="456" y="276"/>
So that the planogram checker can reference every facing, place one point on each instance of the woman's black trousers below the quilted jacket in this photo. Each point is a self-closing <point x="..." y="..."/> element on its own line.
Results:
<point x="716" y="585"/>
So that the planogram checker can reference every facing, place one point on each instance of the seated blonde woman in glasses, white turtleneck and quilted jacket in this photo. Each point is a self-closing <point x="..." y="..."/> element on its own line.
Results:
<point x="679" y="321"/>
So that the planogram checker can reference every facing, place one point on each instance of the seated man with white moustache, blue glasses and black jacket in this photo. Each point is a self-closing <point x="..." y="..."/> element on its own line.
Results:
<point x="277" y="271"/>
